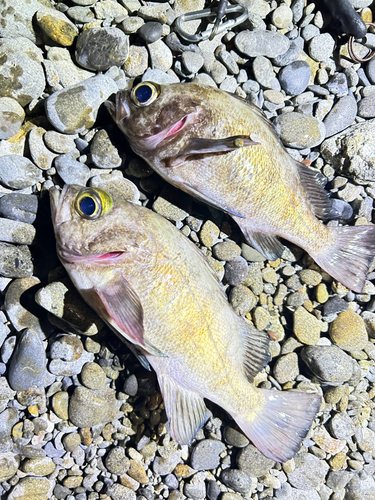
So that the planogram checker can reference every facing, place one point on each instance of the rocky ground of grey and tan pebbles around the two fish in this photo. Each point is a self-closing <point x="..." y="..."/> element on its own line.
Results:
<point x="79" y="418"/>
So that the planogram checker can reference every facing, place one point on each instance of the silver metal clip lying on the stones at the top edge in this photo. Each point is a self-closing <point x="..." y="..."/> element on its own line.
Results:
<point x="220" y="12"/>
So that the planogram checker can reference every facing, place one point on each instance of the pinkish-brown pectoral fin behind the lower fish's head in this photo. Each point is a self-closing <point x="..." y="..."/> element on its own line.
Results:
<point x="119" y="305"/>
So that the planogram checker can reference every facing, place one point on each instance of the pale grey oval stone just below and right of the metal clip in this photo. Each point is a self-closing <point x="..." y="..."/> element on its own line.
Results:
<point x="261" y="43"/>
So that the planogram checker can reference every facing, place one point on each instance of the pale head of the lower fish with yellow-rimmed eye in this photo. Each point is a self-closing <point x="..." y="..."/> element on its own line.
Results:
<point x="92" y="225"/>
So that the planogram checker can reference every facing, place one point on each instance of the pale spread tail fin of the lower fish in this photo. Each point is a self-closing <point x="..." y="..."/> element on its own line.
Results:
<point x="280" y="427"/>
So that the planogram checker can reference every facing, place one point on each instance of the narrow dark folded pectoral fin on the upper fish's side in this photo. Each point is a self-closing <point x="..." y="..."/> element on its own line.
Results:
<point x="197" y="146"/>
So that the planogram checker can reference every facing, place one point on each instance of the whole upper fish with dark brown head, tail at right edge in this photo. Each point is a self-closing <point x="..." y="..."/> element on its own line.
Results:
<point x="222" y="150"/>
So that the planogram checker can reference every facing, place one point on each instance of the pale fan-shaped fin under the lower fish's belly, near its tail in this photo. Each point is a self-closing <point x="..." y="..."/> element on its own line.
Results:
<point x="186" y="410"/>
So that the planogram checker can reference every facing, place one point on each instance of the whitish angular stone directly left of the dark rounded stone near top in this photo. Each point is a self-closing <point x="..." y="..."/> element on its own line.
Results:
<point x="64" y="69"/>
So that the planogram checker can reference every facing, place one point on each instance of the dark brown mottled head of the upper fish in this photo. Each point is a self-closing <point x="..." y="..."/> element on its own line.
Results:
<point x="158" y="120"/>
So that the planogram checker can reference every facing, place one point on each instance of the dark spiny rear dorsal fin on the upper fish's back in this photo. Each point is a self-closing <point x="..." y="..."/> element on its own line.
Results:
<point x="317" y="195"/>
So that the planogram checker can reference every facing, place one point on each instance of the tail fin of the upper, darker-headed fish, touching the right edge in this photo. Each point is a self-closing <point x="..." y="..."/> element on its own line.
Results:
<point x="349" y="257"/>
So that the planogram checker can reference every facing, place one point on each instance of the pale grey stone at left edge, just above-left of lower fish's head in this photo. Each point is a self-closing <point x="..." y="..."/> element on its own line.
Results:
<point x="18" y="172"/>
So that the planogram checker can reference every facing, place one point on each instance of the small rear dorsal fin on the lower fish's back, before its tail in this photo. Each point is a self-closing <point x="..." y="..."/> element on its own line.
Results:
<point x="256" y="355"/>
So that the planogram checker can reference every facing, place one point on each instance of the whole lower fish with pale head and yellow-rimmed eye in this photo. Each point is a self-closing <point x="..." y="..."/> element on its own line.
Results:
<point x="156" y="290"/>
